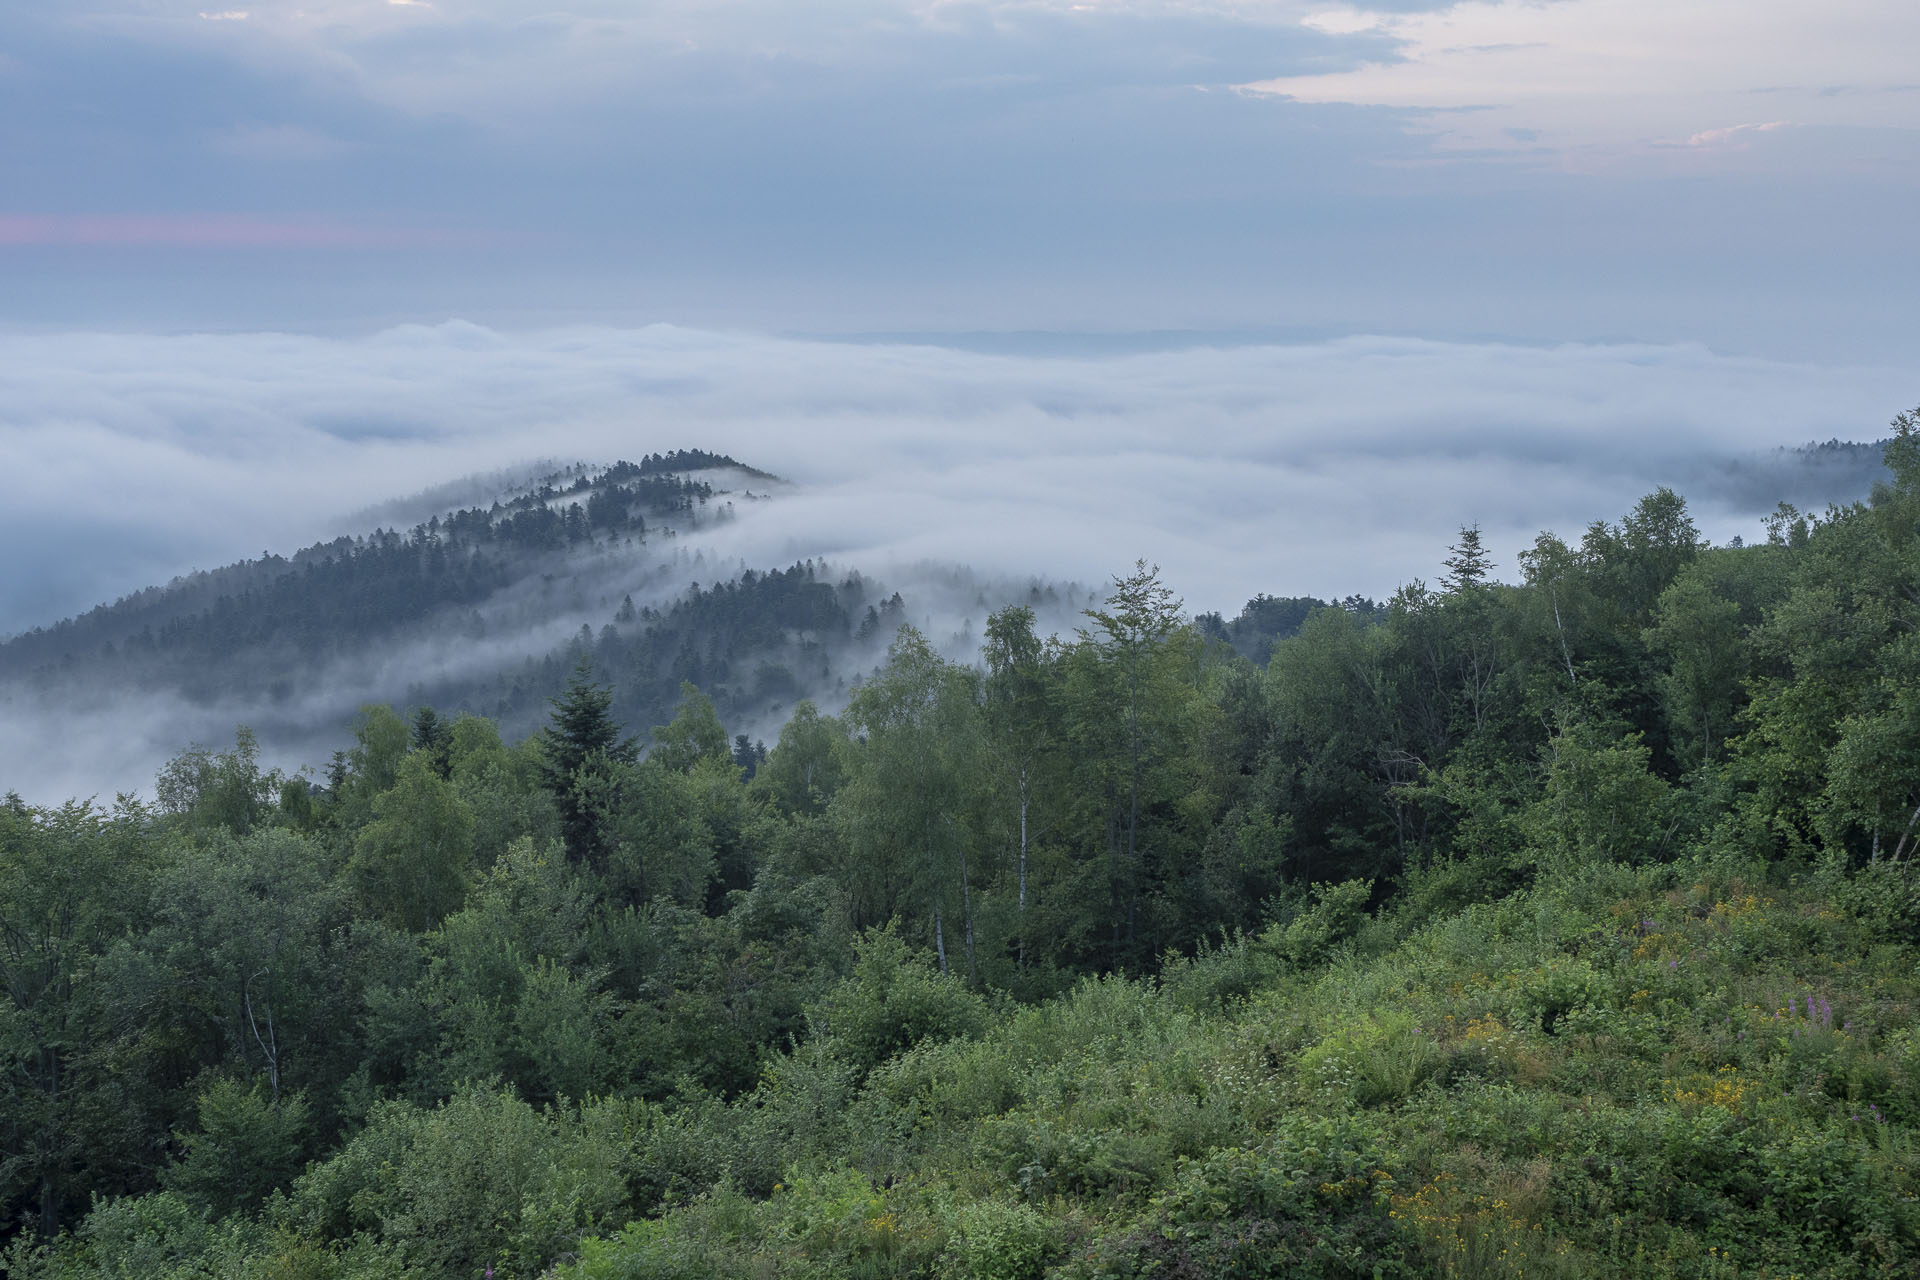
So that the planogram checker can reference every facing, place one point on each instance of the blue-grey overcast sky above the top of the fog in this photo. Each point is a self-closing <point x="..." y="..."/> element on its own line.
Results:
<point x="1725" y="172"/>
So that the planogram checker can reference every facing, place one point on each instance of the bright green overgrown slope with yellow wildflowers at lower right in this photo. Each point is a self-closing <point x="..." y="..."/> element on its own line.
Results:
<point x="1641" y="1074"/>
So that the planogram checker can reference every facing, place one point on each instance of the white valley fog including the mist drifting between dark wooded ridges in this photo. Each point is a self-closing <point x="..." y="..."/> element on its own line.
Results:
<point x="959" y="479"/>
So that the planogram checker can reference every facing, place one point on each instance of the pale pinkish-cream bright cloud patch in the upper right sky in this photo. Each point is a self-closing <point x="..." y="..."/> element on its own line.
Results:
<point x="1606" y="83"/>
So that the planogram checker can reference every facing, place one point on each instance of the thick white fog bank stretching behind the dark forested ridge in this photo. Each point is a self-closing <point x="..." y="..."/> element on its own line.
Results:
<point x="1320" y="469"/>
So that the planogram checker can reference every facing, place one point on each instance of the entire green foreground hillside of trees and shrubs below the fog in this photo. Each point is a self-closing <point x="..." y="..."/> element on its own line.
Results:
<point x="1548" y="920"/>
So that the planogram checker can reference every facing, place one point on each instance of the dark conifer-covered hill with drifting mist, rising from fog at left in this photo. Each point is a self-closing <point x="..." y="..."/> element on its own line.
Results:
<point x="487" y="609"/>
